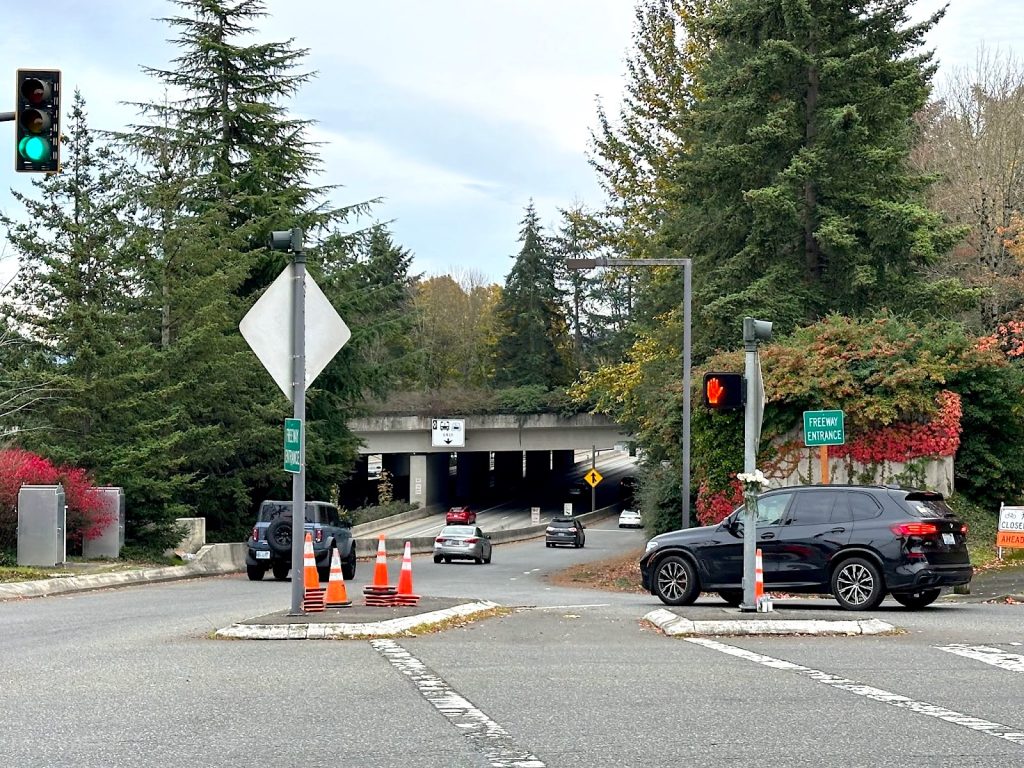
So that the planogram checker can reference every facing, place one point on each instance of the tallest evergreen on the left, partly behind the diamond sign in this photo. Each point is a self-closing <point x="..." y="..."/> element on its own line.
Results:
<point x="223" y="164"/>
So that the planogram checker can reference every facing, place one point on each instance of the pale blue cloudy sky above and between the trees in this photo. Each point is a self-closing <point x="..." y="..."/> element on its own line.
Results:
<point x="454" y="113"/>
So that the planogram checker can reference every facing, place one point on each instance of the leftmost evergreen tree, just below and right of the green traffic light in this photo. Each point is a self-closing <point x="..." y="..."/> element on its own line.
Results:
<point x="79" y="305"/>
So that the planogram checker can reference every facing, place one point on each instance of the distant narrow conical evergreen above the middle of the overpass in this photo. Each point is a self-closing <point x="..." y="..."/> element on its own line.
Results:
<point x="534" y="347"/>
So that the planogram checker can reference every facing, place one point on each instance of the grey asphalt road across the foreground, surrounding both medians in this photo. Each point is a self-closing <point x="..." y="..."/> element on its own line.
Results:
<point x="570" y="677"/>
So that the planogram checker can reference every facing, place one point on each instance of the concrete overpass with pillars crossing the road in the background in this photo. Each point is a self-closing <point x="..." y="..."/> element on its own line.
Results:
<point x="501" y="453"/>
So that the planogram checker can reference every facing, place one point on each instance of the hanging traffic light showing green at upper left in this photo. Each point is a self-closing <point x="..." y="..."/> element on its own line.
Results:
<point x="38" y="121"/>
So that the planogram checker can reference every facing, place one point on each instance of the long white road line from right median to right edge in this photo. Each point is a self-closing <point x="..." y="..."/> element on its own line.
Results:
<point x="999" y="731"/>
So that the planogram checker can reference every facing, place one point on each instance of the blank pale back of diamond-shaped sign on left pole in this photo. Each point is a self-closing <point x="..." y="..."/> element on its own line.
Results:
<point x="268" y="329"/>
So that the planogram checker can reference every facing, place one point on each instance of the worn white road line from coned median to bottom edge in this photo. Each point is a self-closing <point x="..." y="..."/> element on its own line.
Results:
<point x="488" y="737"/>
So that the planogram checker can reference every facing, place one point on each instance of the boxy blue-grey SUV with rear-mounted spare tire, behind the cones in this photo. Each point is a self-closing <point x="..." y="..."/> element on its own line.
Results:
<point x="271" y="542"/>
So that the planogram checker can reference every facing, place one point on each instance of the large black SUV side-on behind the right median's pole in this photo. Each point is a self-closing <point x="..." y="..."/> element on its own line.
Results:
<point x="854" y="542"/>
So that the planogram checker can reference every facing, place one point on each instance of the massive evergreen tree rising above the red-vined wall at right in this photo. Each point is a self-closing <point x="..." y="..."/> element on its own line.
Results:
<point x="795" y="194"/>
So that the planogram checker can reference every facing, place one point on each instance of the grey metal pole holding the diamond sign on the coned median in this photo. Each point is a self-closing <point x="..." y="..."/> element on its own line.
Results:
<point x="298" y="412"/>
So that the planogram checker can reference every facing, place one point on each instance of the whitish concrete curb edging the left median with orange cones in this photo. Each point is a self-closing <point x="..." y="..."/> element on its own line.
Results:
<point x="352" y="631"/>
